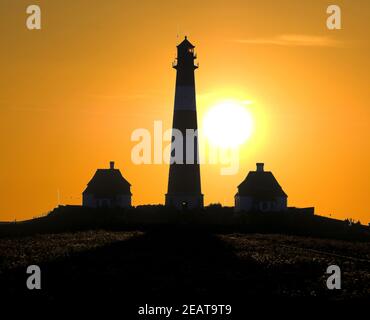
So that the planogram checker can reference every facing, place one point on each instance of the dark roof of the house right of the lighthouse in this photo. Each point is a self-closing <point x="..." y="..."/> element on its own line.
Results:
<point x="261" y="185"/>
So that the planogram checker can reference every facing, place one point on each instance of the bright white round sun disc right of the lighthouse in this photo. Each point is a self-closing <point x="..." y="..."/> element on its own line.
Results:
<point x="228" y="124"/>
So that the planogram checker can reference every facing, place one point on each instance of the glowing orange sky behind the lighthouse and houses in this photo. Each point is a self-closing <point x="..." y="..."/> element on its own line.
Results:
<point x="72" y="93"/>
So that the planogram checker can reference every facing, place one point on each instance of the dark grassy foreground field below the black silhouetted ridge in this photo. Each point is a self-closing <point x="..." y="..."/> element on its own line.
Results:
<point x="181" y="266"/>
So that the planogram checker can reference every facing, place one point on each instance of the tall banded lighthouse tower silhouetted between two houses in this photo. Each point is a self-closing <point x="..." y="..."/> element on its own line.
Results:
<point x="184" y="189"/>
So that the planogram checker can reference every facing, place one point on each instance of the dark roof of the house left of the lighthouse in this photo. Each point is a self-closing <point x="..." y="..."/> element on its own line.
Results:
<point x="108" y="183"/>
